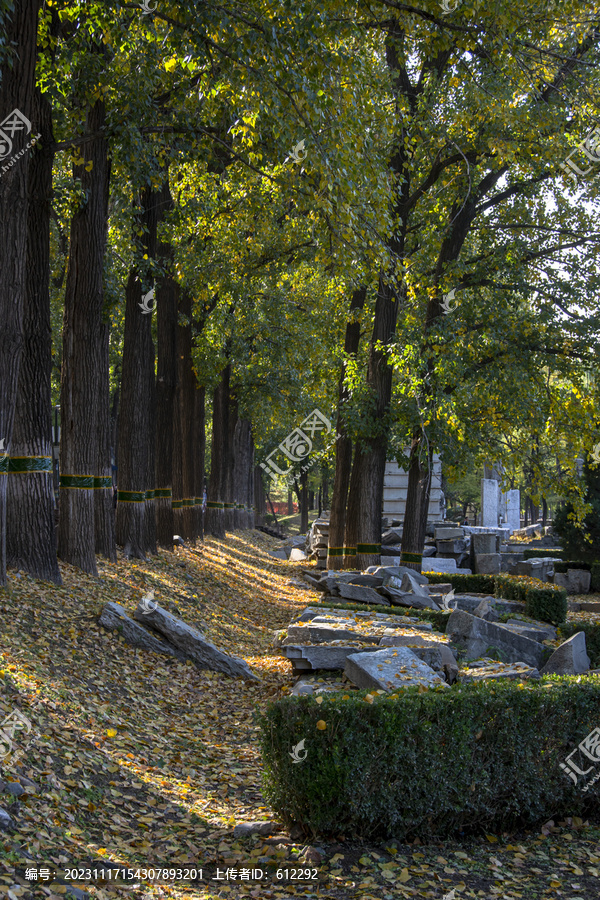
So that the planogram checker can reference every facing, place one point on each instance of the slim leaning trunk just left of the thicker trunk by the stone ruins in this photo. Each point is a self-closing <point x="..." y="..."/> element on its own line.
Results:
<point x="343" y="446"/>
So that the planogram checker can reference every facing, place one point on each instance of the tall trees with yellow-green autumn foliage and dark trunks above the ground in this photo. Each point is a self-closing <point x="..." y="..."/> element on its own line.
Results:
<point x="235" y="216"/>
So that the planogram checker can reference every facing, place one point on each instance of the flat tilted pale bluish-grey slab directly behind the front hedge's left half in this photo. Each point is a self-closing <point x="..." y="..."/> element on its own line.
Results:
<point x="390" y="669"/>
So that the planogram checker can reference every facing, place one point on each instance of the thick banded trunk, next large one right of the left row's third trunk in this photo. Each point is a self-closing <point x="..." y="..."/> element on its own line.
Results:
<point x="136" y="427"/>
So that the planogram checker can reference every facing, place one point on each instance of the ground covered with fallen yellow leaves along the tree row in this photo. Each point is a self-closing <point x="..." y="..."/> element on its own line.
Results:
<point x="139" y="761"/>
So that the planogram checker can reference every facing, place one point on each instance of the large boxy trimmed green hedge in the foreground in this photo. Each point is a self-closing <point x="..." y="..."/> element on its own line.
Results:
<point x="480" y="757"/>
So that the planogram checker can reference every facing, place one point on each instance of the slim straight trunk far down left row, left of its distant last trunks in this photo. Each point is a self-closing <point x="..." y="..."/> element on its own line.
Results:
<point x="215" y="510"/>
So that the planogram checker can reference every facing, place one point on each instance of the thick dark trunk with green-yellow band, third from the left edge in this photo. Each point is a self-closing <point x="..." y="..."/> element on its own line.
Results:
<point x="82" y="378"/>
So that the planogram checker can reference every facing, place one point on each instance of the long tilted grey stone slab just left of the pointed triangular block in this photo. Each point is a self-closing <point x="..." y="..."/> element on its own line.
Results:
<point x="478" y="636"/>
